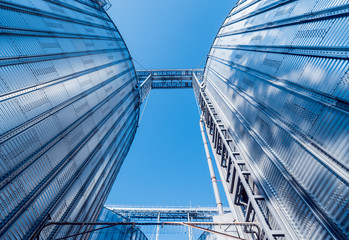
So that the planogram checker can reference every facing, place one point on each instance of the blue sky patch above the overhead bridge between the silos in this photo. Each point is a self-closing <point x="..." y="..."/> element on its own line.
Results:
<point x="169" y="33"/>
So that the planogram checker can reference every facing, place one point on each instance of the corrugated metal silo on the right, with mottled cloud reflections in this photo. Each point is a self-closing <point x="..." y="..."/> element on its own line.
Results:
<point x="278" y="74"/>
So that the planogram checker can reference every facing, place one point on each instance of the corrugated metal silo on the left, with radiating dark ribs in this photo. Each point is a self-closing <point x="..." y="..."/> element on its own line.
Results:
<point x="68" y="112"/>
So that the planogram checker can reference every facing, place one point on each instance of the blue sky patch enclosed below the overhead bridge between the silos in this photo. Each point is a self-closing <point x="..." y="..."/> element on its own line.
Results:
<point x="166" y="164"/>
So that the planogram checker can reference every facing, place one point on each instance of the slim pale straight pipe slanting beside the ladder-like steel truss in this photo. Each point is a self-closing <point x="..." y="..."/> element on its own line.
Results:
<point x="210" y="166"/>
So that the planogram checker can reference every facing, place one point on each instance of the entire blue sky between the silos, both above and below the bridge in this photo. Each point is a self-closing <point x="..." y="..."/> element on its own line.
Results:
<point x="166" y="165"/>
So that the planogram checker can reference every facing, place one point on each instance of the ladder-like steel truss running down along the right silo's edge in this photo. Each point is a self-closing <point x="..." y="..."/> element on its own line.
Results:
<point x="244" y="193"/>
